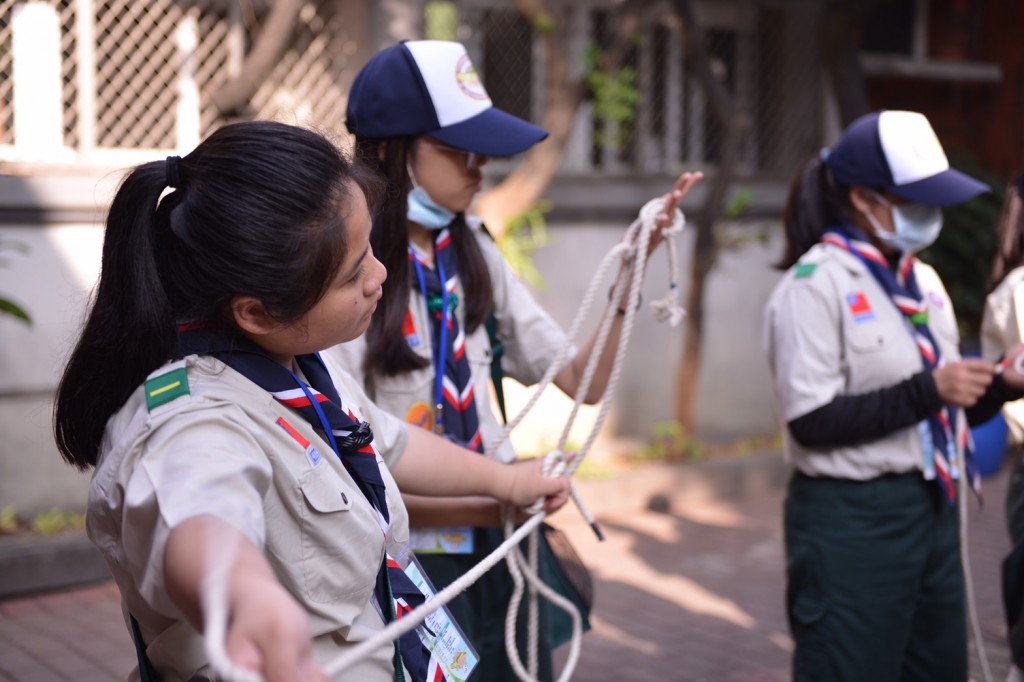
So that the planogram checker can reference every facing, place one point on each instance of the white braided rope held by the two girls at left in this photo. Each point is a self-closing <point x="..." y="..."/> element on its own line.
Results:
<point x="665" y="310"/>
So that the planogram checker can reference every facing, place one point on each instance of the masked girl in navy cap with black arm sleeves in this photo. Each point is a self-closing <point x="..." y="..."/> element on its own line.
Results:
<point x="864" y="349"/>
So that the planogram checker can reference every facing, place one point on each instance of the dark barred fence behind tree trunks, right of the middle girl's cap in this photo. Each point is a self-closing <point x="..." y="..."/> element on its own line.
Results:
<point x="672" y="123"/>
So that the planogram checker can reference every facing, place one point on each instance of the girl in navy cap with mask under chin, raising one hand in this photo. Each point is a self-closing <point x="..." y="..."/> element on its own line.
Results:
<point x="422" y="119"/>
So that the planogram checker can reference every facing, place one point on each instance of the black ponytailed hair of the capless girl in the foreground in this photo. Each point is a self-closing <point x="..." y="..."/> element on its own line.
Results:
<point x="260" y="210"/>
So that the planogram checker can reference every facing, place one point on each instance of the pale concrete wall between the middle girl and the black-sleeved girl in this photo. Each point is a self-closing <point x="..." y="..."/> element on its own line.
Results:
<point x="735" y="391"/>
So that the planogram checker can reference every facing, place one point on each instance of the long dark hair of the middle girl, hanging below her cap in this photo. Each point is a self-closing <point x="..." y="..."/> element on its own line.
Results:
<point x="388" y="352"/>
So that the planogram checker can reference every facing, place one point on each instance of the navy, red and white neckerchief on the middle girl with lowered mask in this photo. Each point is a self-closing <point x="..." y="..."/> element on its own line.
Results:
<point x="454" y="399"/>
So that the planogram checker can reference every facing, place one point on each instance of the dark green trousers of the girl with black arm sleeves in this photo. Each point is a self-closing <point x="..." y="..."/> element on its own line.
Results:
<point x="875" y="583"/>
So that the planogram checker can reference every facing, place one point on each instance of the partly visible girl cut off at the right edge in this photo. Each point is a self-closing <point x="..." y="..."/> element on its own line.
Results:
<point x="1002" y="329"/>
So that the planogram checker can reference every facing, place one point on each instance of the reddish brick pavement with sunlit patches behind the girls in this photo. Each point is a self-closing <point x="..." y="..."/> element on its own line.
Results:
<point x="691" y="596"/>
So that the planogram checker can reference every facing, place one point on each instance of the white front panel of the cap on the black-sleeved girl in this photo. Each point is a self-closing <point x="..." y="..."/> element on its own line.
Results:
<point x="911" y="147"/>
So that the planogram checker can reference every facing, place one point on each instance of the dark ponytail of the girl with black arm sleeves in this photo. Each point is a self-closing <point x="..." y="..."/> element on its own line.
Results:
<point x="815" y="204"/>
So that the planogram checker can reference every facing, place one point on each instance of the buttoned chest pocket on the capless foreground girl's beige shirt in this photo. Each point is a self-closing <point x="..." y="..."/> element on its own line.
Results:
<point x="343" y="543"/>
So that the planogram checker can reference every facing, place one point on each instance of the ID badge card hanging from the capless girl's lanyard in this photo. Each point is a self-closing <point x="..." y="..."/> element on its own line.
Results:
<point x="440" y="633"/>
